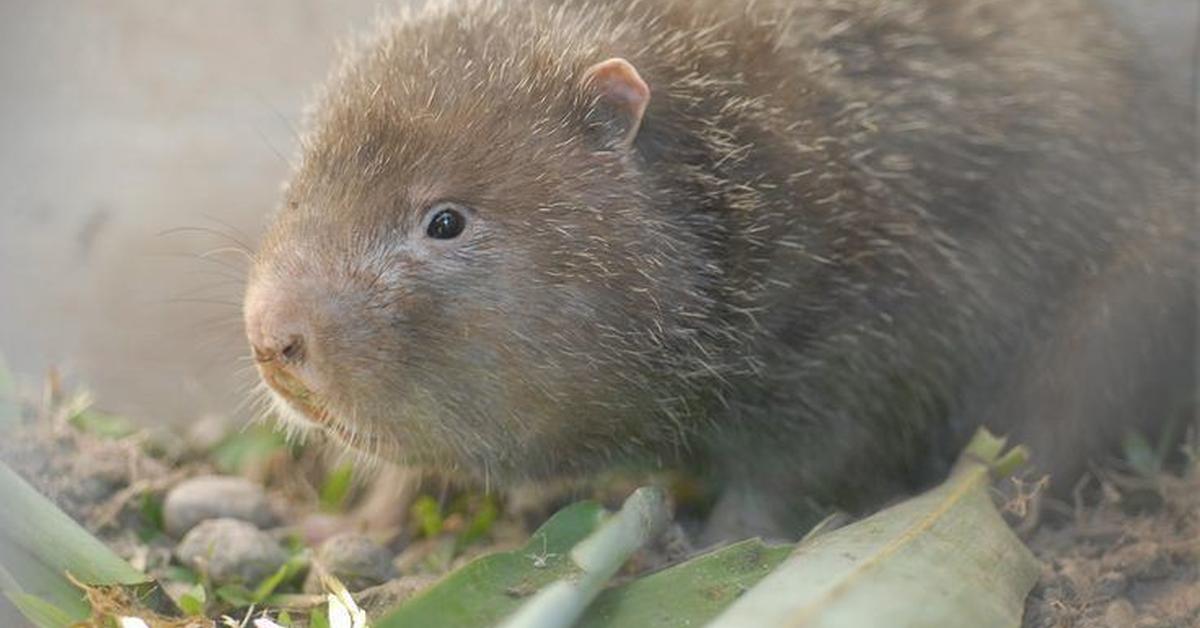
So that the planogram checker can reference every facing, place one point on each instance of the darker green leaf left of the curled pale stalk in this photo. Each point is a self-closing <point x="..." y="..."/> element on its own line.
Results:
<point x="489" y="589"/>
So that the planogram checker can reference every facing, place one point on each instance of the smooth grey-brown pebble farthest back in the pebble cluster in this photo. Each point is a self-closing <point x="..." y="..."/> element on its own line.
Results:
<point x="215" y="498"/>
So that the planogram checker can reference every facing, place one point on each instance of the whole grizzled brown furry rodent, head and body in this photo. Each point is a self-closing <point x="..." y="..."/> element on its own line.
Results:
<point x="844" y="234"/>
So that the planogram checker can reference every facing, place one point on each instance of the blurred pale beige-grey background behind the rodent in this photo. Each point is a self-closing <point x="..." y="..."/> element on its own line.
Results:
<point x="130" y="129"/>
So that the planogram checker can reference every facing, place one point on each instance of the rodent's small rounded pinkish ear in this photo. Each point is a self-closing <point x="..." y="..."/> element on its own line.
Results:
<point x="619" y="98"/>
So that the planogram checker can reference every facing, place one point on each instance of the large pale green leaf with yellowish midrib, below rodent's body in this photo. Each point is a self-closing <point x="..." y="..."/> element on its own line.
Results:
<point x="943" y="559"/>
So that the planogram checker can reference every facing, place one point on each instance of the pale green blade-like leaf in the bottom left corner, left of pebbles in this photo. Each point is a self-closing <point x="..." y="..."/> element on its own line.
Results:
<point x="40" y="546"/>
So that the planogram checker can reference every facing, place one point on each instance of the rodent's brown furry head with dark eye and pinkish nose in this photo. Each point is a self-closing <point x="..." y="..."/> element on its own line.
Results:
<point x="471" y="270"/>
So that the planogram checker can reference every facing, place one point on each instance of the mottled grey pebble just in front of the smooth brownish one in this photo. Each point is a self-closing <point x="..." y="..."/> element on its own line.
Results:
<point x="231" y="552"/>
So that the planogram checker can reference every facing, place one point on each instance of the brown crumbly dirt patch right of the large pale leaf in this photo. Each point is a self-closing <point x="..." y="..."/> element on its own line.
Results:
<point x="1127" y="555"/>
